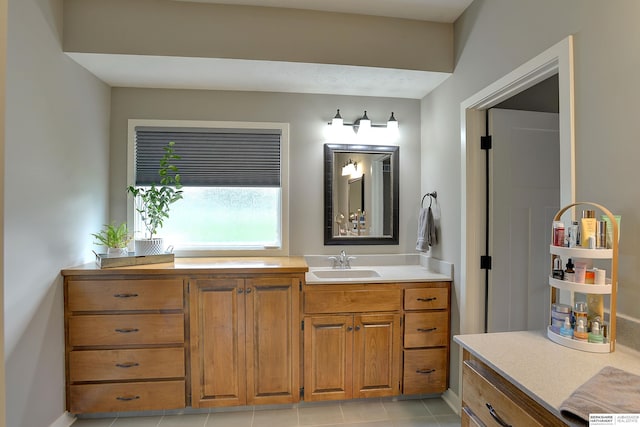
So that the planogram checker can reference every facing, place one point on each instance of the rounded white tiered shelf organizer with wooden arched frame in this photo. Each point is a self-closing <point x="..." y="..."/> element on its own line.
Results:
<point x="609" y="288"/>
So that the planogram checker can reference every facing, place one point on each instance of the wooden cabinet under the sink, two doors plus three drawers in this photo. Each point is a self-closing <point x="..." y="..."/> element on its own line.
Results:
<point x="373" y="340"/>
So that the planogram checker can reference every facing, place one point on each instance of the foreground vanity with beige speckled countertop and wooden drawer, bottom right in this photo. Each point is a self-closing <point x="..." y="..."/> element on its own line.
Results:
<point x="523" y="377"/>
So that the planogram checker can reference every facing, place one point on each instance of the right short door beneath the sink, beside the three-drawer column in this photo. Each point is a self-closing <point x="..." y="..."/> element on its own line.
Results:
<point x="376" y="355"/>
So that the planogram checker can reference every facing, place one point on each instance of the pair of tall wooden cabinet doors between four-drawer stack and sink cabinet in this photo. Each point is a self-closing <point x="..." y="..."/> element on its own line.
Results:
<point x="244" y="340"/>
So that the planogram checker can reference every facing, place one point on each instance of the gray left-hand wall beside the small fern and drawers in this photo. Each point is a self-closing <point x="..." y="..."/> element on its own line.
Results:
<point x="56" y="168"/>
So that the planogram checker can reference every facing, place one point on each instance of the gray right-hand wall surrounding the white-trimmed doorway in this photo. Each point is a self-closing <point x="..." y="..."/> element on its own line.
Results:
<point x="494" y="37"/>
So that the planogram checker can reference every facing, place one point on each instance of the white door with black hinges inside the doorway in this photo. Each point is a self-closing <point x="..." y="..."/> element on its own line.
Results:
<point x="525" y="195"/>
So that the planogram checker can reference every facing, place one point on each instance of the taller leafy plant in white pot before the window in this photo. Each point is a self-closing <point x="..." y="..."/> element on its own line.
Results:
<point x="153" y="203"/>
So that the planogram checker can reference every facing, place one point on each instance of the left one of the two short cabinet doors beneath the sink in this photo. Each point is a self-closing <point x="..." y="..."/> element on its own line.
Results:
<point x="328" y="354"/>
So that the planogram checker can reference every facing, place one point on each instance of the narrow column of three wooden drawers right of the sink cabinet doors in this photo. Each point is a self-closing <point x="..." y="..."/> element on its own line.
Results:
<point x="426" y="337"/>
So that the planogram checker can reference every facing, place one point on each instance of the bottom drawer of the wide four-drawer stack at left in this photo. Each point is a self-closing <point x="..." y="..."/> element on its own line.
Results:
<point x="123" y="397"/>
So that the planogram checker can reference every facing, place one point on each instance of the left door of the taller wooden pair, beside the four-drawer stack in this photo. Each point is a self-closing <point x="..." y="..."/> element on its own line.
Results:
<point x="217" y="313"/>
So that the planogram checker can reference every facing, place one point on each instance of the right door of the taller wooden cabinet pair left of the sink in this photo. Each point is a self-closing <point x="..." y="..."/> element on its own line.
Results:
<point x="272" y="340"/>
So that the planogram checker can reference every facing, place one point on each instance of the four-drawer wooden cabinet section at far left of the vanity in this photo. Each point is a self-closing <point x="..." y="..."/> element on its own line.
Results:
<point x="125" y="344"/>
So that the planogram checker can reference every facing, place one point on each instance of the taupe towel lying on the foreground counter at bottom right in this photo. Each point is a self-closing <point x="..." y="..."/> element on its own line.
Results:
<point x="610" y="391"/>
